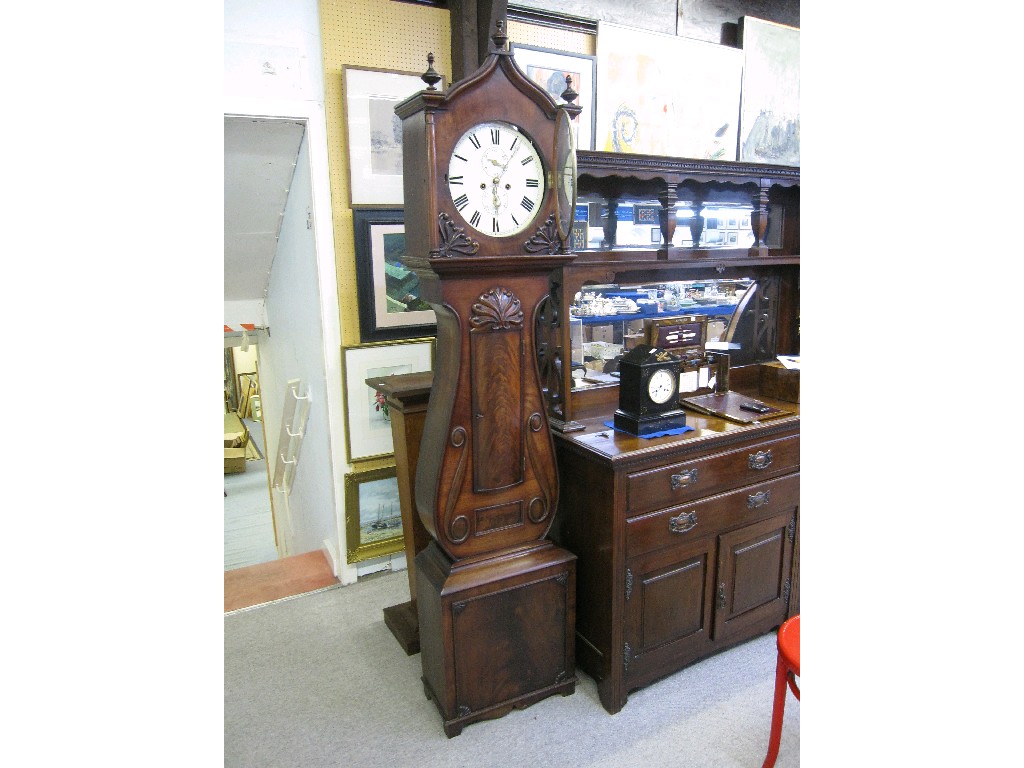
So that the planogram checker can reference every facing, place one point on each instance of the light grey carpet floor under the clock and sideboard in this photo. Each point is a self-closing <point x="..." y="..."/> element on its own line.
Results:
<point x="319" y="680"/>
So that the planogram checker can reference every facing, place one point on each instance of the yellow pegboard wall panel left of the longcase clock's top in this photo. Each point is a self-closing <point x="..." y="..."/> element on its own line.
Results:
<point x="382" y="35"/>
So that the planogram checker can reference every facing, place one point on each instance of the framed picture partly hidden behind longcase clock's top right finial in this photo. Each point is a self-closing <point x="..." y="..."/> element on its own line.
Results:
<point x="548" y="69"/>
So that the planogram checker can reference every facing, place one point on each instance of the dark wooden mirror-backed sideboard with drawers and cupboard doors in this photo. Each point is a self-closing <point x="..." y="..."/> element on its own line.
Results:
<point x="687" y="545"/>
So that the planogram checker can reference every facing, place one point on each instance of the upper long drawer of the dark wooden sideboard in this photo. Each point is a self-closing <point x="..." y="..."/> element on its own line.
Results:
<point x="675" y="484"/>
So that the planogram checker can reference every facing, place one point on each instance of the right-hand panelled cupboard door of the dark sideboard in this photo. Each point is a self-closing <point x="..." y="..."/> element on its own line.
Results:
<point x="754" y="566"/>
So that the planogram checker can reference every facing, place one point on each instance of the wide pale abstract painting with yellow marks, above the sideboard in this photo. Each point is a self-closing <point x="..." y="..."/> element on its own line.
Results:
<point x="664" y="95"/>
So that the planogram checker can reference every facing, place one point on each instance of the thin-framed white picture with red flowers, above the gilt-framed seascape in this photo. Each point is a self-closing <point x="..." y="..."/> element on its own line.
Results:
<point x="368" y="429"/>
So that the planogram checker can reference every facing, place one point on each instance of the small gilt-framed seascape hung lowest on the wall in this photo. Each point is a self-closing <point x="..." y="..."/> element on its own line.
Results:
<point x="373" y="515"/>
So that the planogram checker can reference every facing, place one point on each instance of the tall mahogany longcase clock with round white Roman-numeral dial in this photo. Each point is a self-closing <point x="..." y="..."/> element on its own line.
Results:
<point x="490" y="183"/>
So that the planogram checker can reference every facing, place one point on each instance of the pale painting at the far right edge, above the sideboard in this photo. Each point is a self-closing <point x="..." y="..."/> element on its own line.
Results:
<point x="770" y="118"/>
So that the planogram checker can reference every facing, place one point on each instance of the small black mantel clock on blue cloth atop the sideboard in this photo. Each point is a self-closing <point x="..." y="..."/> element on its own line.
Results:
<point x="649" y="393"/>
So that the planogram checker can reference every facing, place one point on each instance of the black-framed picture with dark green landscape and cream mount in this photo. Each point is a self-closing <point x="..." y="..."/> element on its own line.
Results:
<point x="388" y="290"/>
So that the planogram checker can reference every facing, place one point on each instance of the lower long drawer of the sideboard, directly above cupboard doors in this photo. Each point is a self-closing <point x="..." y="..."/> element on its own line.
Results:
<point x="692" y="522"/>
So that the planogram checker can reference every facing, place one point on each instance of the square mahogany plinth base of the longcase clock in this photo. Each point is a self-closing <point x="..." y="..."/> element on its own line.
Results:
<point x="497" y="632"/>
